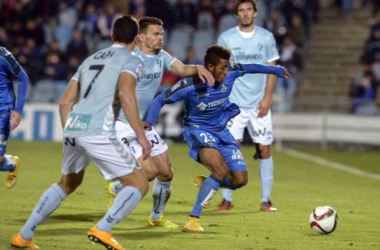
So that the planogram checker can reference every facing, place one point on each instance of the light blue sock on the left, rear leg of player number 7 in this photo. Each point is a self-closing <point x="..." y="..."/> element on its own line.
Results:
<point x="47" y="203"/>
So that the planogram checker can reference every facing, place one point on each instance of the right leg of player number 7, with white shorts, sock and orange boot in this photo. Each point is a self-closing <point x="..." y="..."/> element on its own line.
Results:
<point x="115" y="161"/>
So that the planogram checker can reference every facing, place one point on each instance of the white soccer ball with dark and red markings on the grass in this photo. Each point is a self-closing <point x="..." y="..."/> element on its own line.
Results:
<point x="323" y="220"/>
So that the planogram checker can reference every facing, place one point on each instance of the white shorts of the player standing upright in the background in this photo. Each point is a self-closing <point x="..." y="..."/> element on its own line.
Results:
<point x="259" y="128"/>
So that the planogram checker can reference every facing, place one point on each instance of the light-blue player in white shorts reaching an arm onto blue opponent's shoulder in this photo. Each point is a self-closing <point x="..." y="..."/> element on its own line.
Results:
<point x="158" y="166"/>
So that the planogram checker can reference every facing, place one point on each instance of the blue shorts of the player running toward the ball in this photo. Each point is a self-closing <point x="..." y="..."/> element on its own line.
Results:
<point x="222" y="140"/>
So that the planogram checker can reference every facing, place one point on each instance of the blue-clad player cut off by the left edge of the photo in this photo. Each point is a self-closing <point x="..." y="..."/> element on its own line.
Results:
<point x="10" y="110"/>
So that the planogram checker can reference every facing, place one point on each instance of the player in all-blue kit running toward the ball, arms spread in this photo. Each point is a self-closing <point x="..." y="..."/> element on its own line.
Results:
<point x="207" y="111"/>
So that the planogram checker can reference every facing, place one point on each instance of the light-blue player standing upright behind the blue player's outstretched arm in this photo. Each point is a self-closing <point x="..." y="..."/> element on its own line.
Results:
<point x="252" y="44"/>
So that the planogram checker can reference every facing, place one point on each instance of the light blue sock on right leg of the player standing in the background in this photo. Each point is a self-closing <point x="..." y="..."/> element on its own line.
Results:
<point x="266" y="178"/>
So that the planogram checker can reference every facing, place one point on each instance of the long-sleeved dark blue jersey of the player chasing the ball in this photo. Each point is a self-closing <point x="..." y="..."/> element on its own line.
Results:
<point x="207" y="107"/>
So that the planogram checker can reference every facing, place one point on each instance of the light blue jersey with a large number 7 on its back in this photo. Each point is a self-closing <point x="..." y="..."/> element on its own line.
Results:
<point x="98" y="76"/>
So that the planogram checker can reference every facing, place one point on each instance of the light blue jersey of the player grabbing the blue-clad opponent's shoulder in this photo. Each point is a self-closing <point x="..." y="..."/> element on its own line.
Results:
<point x="149" y="81"/>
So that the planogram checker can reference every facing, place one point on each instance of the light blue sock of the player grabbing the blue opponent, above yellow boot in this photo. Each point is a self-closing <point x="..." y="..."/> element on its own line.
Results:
<point x="161" y="193"/>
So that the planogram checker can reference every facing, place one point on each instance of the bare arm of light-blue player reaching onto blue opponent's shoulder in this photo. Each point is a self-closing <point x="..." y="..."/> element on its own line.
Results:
<point x="183" y="70"/>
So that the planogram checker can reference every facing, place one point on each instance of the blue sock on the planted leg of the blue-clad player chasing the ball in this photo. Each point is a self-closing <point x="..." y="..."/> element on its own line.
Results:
<point x="208" y="189"/>
